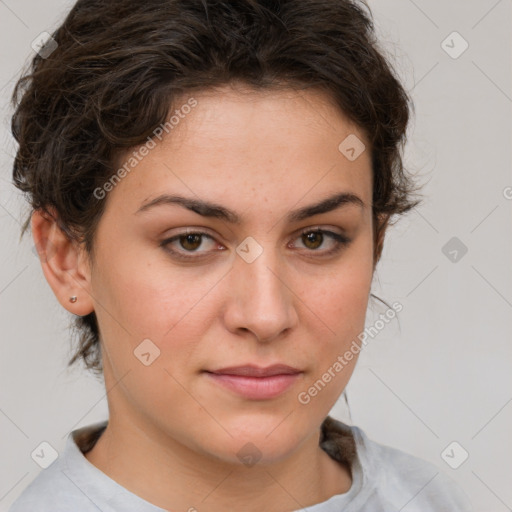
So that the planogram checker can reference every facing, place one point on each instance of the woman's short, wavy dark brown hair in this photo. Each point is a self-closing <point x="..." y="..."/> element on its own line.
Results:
<point x="119" y="66"/>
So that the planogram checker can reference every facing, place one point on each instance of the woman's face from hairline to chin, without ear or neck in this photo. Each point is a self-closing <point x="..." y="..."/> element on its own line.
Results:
<point x="253" y="292"/>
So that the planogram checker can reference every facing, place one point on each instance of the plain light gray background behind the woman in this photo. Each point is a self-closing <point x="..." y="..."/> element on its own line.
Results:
<point x="440" y="374"/>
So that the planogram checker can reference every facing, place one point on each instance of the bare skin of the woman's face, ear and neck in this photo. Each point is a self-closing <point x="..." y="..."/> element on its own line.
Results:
<point x="173" y="434"/>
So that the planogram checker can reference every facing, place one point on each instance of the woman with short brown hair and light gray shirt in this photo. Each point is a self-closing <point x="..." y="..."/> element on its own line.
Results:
<point x="211" y="183"/>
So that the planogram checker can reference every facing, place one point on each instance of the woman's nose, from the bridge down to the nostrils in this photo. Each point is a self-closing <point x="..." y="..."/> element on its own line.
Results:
<point x="261" y="300"/>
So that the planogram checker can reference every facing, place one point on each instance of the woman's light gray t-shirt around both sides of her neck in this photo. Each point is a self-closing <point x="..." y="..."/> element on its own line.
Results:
<point x="384" y="479"/>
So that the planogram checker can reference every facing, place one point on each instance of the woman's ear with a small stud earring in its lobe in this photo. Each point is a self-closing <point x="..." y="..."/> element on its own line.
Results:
<point x="64" y="263"/>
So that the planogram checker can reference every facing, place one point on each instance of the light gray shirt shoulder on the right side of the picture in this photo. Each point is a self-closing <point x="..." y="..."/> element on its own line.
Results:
<point x="406" y="480"/>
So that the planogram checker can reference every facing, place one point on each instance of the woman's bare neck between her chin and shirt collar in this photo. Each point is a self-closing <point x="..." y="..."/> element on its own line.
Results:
<point x="173" y="476"/>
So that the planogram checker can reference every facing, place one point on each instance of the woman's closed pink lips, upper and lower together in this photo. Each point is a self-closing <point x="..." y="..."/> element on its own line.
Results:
<point x="256" y="383"/>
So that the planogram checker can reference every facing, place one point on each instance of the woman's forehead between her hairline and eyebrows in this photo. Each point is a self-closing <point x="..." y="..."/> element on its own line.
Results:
<point x="270" y="147"/>
